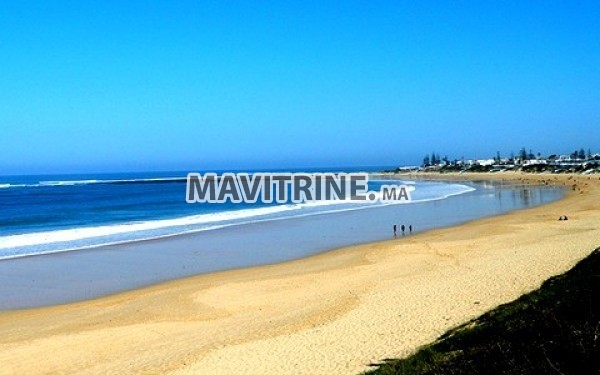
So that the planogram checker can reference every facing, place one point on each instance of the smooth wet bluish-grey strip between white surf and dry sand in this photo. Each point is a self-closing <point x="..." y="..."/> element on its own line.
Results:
<point x="61" y="278"/>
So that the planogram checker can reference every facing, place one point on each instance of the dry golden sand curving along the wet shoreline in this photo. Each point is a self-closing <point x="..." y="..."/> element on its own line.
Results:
<point x="332" y="313"/>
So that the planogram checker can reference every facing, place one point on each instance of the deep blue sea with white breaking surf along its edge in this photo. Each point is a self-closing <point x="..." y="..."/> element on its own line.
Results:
<point x="48" y="214"/>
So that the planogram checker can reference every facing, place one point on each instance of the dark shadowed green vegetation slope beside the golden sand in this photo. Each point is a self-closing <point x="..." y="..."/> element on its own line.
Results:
<point x="553" y="330"/>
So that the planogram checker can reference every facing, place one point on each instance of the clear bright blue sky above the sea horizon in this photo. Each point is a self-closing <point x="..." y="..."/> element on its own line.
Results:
<point x="90" y="86"/>
